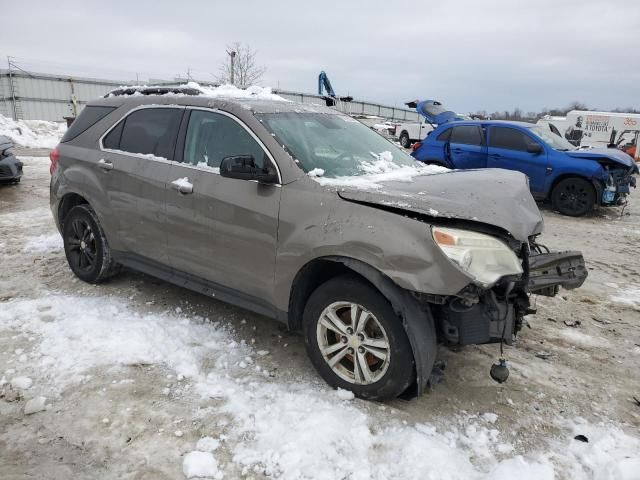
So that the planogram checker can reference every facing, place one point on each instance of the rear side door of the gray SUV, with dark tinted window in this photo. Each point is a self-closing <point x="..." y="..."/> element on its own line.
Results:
<point x="136" y="158"/>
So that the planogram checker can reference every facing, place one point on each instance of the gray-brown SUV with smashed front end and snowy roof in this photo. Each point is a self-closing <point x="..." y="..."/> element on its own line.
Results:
<point x="303" y="214"/>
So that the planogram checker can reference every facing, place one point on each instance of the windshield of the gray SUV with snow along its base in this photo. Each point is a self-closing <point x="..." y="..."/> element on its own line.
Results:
<point x="333" y="145"/>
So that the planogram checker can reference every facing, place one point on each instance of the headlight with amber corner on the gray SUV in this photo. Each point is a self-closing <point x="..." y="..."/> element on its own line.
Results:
<point x="482" y="257"/>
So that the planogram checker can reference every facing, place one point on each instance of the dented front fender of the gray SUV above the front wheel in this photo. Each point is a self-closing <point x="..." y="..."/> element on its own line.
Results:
<point x="316" y="223"/>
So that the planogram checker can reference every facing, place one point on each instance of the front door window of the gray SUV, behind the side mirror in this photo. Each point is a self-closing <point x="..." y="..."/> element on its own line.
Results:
<point x="213" y="136"/>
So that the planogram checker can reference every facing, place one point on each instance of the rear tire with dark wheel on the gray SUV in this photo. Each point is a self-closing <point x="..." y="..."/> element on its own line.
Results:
<point x="86" y="246"/>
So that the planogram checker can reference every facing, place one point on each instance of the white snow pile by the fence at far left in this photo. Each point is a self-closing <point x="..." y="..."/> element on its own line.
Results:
<point x="32" y="133"/>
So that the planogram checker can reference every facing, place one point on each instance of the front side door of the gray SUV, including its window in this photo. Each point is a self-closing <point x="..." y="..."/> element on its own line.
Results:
<point x="224" y="230"/>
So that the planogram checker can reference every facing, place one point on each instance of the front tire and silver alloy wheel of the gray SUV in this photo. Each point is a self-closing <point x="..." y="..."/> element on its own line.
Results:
<point x="356" y="341"/>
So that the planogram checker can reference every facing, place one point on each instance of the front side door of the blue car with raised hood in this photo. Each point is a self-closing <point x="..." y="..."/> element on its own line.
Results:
<point x="508" y="148"/>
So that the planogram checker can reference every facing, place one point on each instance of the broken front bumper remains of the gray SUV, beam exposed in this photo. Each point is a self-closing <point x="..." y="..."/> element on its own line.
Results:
<point x="497" y="314"/>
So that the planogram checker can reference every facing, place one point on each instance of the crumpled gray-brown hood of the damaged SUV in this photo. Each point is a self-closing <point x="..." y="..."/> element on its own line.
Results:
<point x="491" y="196"/>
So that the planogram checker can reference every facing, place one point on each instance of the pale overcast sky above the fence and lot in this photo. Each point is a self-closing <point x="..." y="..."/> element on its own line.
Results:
<point x="471" y="55"/>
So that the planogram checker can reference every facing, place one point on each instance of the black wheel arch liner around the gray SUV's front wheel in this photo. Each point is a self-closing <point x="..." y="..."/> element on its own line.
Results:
<point x="416" y="317"/>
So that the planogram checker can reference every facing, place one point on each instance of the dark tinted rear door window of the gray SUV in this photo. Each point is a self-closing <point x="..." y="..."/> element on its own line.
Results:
<point x="146" y="131"/>
